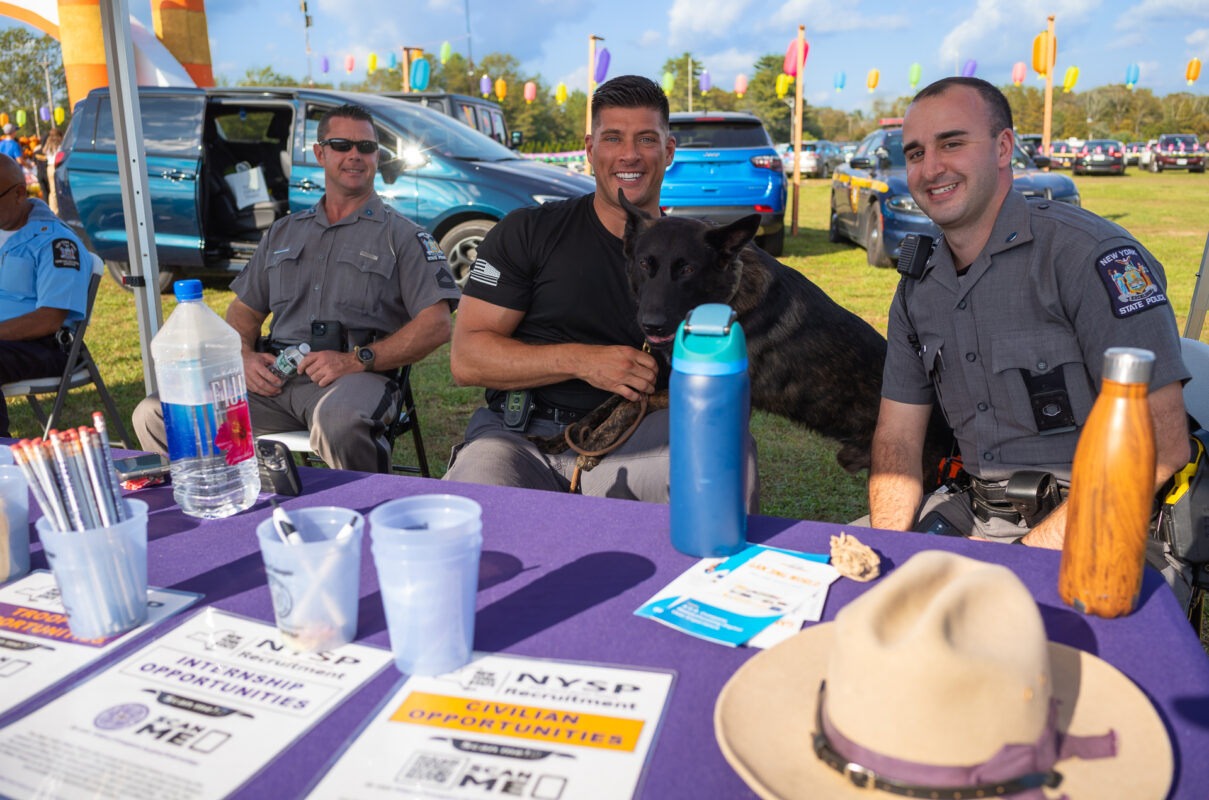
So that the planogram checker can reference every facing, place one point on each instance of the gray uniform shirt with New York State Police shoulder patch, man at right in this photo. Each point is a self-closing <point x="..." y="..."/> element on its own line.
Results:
<point x="1054" y="288"/>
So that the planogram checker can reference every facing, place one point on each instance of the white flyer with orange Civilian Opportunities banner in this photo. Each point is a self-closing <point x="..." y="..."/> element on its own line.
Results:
<point x="508" y="727"/>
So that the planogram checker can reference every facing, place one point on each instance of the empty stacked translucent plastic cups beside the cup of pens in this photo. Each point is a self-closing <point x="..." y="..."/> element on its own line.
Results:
<point x="426" y="549"/>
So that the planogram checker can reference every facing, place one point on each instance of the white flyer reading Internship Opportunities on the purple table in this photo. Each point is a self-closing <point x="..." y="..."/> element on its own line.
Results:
<point x="194" y="715"/>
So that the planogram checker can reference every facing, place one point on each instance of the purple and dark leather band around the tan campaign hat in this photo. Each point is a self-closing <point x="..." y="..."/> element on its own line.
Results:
<point x="1019" y="772"/>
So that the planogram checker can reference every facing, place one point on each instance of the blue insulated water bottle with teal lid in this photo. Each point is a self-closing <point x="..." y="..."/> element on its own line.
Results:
<point x="710" y="408"/>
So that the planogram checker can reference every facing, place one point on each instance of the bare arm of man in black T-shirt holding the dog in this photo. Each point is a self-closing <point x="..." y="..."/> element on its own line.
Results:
<point x="485" y="355"/>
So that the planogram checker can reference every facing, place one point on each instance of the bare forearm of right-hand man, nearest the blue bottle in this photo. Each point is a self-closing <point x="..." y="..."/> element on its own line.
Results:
<point x="896" y="486"/>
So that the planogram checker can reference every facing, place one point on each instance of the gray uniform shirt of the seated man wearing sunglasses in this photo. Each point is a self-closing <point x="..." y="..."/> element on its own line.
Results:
<point x="372" y="270"/>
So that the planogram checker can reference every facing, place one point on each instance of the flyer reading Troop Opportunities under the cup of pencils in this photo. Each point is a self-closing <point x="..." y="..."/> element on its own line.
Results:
<point x="37" y="647"/>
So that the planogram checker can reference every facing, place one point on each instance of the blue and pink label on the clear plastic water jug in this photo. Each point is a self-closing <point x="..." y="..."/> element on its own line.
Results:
<point x="222" y="427"/>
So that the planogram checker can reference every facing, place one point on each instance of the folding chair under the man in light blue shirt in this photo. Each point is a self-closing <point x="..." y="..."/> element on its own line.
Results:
<point x="80" y="372"/>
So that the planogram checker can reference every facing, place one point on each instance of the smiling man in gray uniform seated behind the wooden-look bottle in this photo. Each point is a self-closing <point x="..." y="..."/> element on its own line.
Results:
<point x="1006" y="329"/>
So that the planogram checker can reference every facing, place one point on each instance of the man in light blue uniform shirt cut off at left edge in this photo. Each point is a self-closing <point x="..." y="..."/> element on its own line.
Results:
<point x="44" y="285"/>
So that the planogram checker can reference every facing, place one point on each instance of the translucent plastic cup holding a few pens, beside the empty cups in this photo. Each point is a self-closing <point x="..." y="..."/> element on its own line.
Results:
<point x="315" y="583"/>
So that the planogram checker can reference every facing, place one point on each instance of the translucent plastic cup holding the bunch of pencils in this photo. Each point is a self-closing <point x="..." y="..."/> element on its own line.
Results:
<point x="102" y="573"/>
